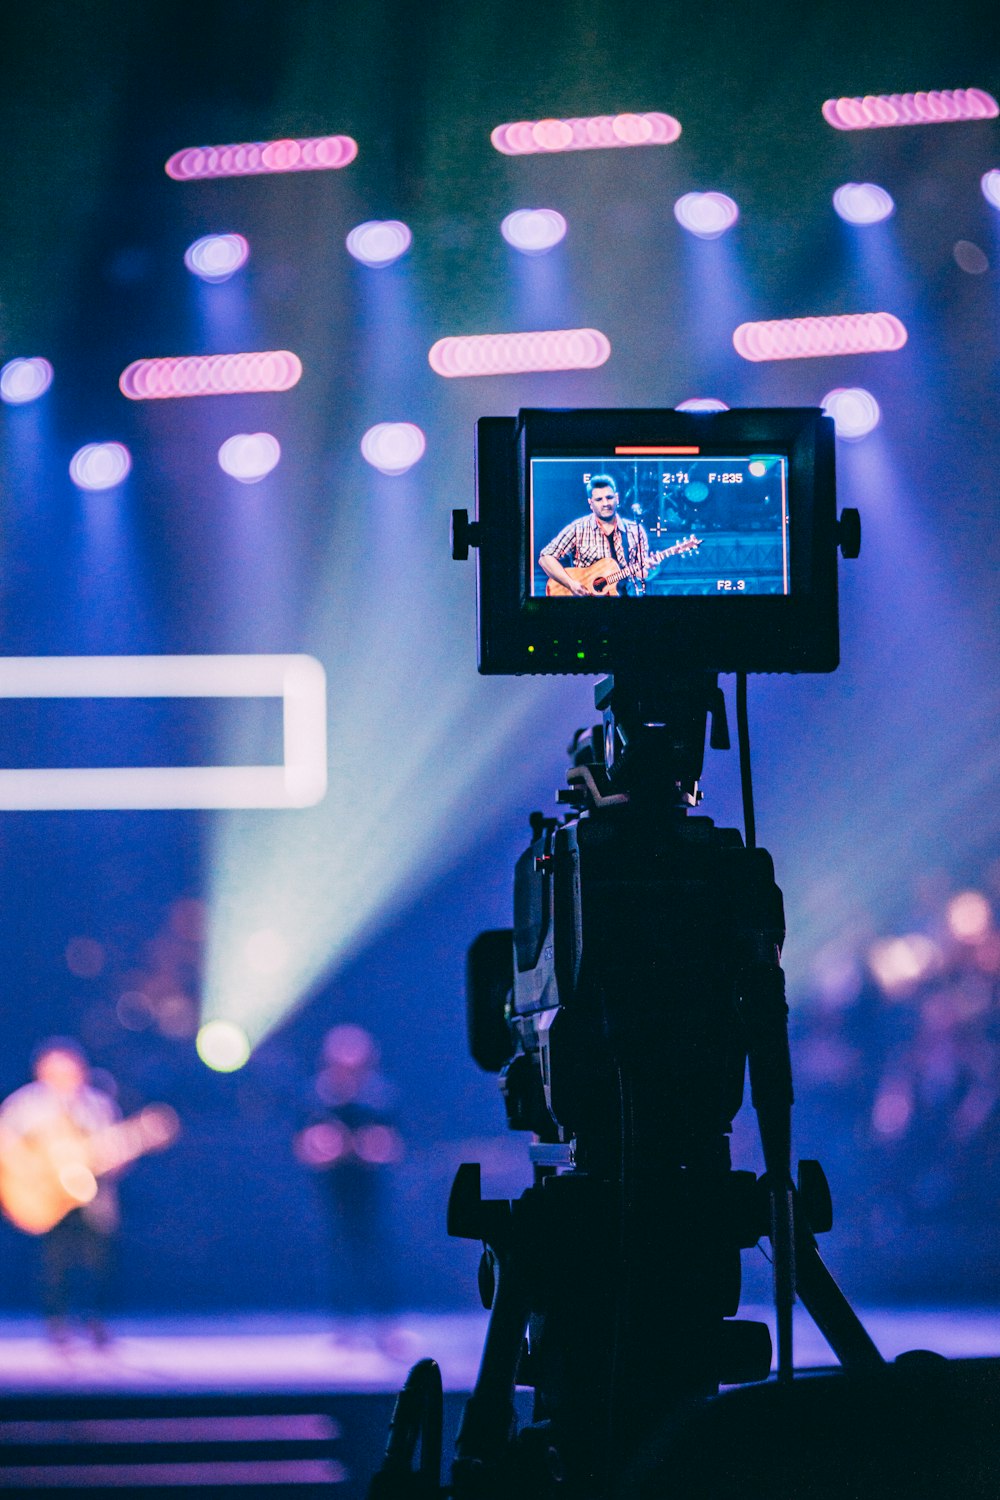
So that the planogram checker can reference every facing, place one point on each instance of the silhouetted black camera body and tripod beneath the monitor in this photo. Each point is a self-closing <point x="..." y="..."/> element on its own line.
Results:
<point x="645" y="979"/>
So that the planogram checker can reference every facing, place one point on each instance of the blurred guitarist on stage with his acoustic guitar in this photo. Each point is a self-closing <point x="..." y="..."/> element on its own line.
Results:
<point x="62" y="1142"/>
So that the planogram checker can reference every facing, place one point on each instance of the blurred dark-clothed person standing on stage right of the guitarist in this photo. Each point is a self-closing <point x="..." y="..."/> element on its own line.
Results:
<point x="352" y="1145"/>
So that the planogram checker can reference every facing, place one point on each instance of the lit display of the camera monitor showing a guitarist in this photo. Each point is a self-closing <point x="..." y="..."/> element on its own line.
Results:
<point x="645" y="526"/>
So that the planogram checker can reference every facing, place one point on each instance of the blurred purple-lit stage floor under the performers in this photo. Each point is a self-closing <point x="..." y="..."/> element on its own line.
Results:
<point x="269" y="1354"/>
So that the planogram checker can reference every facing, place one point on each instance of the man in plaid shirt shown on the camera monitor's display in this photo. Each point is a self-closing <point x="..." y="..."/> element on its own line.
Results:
<point x="594" y="539"/>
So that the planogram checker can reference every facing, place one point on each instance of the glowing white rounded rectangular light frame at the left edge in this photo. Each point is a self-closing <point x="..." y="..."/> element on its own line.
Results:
<point x="301" y="781"/>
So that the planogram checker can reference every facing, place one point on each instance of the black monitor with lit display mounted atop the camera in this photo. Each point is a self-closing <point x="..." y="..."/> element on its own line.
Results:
<point x="660" y="541"/>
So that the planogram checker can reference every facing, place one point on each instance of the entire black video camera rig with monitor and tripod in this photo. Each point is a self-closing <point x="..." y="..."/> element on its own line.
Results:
<point x="642" y="979"/>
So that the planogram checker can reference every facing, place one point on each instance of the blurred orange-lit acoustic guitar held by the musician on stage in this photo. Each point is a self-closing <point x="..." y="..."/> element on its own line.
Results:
<point x="47" y="1175"/>
